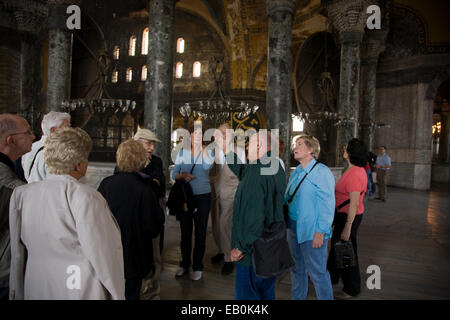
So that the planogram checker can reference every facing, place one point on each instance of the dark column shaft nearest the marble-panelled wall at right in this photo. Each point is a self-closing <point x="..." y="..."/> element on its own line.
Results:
<point x="373" y="45"/>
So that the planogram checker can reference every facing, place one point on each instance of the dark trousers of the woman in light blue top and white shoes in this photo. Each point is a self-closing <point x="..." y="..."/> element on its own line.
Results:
<point x="199" y="219"/>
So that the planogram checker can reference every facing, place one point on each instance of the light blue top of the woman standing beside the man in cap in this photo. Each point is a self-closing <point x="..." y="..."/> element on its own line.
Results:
<point x="184" y="163"/>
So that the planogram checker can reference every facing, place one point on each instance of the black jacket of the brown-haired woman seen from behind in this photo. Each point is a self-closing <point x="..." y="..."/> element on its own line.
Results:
<point x="134" y="205"/>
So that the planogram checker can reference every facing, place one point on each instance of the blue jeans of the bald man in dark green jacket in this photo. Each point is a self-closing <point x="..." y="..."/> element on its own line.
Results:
<point x="251" y="287"/>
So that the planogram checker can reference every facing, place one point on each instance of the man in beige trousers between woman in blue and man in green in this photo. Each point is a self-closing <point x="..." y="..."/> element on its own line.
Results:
<point x="225" y="187"/>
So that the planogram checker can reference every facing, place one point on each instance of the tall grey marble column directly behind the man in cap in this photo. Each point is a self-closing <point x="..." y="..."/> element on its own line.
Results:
<point x="158" y="86"/>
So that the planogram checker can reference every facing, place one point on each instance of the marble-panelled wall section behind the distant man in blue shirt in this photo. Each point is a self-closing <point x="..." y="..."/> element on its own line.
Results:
<point x="408" y="140"/>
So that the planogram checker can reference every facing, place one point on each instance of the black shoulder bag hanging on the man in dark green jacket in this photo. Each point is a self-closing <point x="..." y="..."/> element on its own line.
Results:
<point x="271" y="254"/>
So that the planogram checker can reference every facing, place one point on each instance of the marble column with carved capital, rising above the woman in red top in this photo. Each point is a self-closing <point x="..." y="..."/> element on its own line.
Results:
<point x="348" y="18"/>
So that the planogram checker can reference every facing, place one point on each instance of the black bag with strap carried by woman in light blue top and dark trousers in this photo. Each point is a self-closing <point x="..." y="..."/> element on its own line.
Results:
<point x="181" y="197"/>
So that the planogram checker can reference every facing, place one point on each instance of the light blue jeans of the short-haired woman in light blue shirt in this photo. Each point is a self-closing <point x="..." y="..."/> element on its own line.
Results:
<point x="310" y="262"/>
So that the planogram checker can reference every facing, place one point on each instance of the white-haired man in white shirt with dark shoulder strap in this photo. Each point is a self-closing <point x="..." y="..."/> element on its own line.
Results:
<point x="33" y="163"/>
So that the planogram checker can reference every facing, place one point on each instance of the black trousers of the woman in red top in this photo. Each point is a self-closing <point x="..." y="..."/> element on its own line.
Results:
<point x="350" y="276"/>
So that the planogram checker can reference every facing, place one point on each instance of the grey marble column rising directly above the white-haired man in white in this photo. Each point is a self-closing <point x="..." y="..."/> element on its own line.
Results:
<point x="59" y="55"/>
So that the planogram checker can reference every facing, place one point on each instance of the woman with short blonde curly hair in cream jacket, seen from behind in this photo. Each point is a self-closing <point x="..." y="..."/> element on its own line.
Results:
<point x="65" y="243"/>
